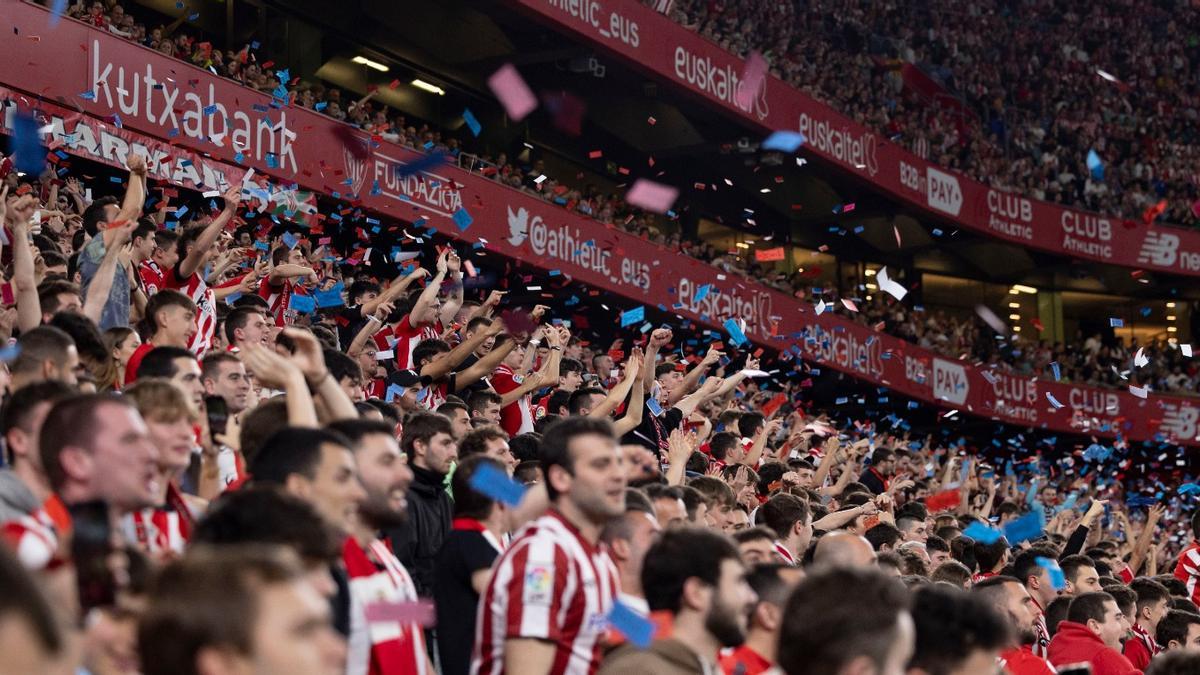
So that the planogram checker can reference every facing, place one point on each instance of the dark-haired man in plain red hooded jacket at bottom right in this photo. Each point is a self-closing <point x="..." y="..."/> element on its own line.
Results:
<point x="1093" y="634"/>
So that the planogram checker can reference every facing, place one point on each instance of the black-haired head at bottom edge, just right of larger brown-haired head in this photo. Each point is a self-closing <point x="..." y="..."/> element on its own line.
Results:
<point x="957" y="632"/>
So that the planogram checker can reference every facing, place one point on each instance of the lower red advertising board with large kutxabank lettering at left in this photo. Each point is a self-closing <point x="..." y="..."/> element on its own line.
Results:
<point x="189" y="148"/>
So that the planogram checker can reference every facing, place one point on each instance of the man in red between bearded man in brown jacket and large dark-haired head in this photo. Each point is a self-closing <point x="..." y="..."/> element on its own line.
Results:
<point x="772" y="584"/>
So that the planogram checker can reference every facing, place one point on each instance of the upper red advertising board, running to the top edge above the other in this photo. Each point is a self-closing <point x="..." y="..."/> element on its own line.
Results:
<point x="655" y="44"/>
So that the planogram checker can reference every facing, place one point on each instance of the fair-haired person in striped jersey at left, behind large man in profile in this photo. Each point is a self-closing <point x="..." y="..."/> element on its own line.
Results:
<point x="164" y="531"/>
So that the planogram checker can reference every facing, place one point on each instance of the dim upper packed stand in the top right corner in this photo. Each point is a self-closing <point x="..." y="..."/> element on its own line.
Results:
<point x="1022" y="98"/>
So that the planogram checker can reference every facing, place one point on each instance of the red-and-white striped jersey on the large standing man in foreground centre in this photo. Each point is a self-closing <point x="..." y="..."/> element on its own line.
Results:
<point x="549" y="586"/>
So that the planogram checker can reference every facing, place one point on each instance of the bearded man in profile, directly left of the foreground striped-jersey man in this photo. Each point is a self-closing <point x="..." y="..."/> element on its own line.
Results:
<point x="375" y="572"/>
